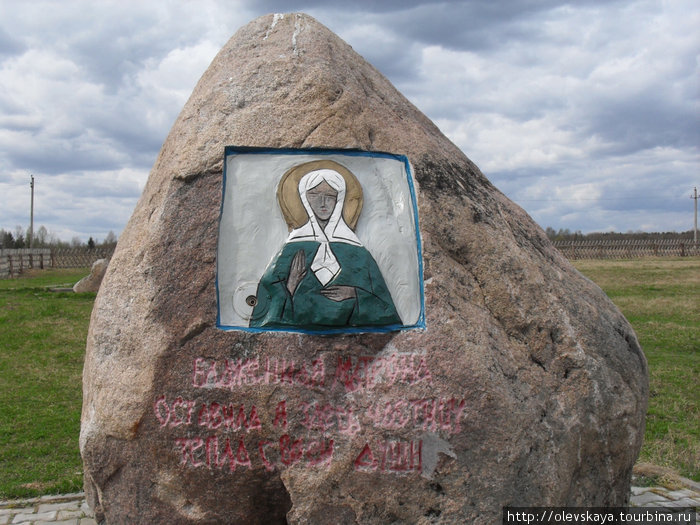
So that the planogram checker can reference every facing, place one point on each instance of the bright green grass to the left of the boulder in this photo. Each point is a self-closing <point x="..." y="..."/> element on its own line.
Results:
<point x="42" y="345"/>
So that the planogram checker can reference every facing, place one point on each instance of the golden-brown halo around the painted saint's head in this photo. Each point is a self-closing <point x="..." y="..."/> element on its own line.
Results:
<point x="290" y="203"/>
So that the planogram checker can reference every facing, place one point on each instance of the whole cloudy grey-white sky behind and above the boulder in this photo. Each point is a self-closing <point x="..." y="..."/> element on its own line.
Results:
<point x="586" y="113"/>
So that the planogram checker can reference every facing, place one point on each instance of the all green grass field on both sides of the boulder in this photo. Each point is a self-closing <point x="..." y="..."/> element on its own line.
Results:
<point x="42" y="346"/>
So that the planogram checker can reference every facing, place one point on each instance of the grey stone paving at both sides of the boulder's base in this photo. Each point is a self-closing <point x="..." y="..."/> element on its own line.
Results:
<point x="71" y="509"/>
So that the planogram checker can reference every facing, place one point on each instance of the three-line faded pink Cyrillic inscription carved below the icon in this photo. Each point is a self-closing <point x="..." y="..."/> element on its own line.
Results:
<point x="333" y="403"/>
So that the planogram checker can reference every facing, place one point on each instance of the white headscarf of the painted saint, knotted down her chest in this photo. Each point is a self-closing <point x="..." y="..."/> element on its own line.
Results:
<point x="325" y="264"/>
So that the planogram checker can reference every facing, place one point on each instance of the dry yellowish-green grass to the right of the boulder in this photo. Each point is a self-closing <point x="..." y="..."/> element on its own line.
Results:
<point x="661" y="299"/>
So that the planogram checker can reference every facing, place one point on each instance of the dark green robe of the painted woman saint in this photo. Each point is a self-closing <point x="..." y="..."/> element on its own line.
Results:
<point x="308" y="309"/>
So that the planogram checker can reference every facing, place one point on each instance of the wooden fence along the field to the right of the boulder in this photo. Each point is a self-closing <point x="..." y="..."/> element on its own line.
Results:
<point x="627" y="248"/>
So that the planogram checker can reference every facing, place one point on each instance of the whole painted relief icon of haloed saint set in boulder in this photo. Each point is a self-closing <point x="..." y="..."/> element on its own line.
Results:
<point x="318" y="241"/>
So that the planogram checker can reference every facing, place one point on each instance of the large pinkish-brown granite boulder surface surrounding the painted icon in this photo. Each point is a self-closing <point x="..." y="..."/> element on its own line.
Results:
<point x="528" y="386"/>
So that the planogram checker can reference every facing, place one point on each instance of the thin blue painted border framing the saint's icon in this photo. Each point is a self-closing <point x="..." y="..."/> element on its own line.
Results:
<point x="419" y="325"/>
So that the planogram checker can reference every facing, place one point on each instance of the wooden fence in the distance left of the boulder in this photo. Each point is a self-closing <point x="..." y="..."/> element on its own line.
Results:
<point x="15" y="261"/>
